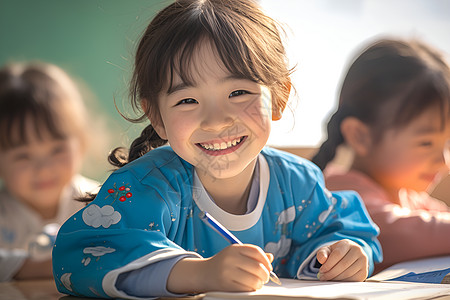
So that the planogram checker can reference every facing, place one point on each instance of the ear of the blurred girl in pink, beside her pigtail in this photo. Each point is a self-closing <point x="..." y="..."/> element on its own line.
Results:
<point x="357" y="135"/>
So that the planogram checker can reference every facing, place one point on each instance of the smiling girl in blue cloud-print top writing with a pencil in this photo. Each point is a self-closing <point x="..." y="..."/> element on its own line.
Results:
<point x="210" y="75"/>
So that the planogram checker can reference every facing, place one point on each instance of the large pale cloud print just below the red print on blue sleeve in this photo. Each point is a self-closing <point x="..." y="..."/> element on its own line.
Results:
<point x="96" y="216"/>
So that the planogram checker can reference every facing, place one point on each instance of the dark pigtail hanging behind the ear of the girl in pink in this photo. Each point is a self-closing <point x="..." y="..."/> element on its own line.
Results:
<point x="327" y="150"/>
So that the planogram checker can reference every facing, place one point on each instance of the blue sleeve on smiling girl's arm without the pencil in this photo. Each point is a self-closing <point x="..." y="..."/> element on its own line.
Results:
<point x="334" y="217"/>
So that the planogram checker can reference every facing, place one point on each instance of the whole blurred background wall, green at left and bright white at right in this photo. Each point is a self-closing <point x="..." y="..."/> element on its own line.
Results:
<point x="94" y="41"/>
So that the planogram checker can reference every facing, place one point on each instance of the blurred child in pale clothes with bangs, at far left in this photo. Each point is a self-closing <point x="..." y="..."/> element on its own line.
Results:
<point x="42" y="143"/>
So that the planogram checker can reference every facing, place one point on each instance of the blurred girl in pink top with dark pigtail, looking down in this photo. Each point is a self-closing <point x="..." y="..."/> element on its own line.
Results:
<point x="393" y="114"/>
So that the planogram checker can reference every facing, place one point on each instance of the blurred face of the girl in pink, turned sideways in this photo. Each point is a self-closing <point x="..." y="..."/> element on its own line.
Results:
<point x="411" y="157"/>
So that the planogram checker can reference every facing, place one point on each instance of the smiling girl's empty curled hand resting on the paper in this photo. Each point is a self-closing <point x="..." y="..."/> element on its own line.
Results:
<point x="344" y="260"/>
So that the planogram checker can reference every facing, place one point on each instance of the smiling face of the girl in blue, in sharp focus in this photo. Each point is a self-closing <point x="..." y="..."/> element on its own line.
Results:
<point x="220" y="123"/>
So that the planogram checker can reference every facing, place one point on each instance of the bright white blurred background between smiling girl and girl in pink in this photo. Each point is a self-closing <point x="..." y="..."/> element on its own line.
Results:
<point x="324" y="36"/>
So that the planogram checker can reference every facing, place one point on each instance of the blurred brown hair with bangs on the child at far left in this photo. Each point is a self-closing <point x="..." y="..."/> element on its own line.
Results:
<point x="40" y="93"/>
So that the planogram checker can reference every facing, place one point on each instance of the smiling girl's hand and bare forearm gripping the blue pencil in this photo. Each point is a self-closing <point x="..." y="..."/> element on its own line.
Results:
<point x="237" y="268"/>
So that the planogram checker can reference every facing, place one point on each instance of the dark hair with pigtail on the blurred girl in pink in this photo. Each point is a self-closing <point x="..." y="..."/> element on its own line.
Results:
<point x="389" y="84"/>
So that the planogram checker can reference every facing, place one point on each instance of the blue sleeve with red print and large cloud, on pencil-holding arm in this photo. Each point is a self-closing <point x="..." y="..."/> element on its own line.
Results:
<point x="127" y="227"/>
